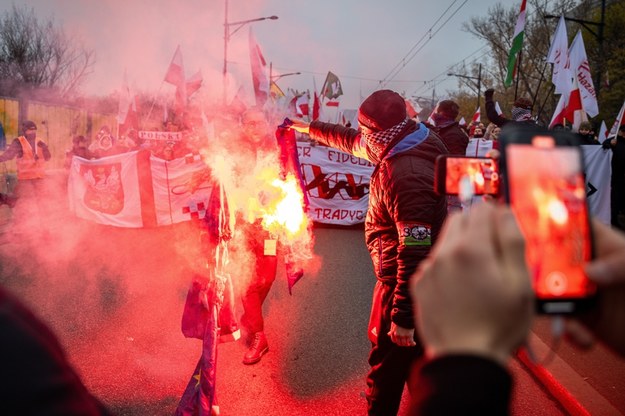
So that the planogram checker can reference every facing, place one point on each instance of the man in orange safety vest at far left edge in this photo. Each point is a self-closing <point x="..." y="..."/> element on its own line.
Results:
<point x="31" y="156"/>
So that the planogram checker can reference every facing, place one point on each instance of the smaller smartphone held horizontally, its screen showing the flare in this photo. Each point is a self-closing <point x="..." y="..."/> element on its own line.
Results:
<point x="483" y="173"/>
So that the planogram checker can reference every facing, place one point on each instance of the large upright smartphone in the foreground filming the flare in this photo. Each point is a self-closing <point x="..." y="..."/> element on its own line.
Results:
<point x="543" y="181"/>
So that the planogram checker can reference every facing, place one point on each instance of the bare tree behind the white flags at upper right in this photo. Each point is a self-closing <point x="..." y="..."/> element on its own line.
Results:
<point x="496" y="27"/>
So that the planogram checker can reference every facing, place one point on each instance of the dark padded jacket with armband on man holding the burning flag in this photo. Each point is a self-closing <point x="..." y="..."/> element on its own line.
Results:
<point x="405" y="215"/>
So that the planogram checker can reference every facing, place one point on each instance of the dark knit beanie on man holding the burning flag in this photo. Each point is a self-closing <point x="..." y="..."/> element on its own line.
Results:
<point x="382" y="110"/>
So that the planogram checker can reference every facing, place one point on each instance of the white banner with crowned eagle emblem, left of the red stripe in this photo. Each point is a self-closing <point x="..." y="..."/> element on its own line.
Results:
<point x="106" y="190"/>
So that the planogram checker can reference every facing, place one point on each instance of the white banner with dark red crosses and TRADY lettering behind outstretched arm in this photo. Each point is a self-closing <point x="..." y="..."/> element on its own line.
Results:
<point x="337" y="184"/>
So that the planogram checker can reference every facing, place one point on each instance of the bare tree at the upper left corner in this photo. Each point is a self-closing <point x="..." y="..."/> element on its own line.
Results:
<point x="38" y="54"/>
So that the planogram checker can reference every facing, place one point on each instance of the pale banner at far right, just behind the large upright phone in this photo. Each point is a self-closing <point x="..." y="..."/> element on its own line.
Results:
<point x="598" y="168"/>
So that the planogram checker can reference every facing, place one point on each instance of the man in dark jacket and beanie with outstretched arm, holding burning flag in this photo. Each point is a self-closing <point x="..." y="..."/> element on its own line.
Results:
<point x="403" y="221"/>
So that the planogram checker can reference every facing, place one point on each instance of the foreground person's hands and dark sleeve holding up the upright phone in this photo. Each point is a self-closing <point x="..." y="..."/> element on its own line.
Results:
<point x="470" y="340"/>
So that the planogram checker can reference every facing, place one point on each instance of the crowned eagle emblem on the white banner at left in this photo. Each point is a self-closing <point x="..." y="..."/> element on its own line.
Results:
<point x="104" y="192"/>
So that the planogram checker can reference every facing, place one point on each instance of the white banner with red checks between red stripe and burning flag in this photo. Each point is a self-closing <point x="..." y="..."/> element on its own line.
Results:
<point x="182" y="188"/>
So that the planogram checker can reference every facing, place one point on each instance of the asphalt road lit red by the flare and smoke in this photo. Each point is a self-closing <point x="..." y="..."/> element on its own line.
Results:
<point x="115" y="298"/>
